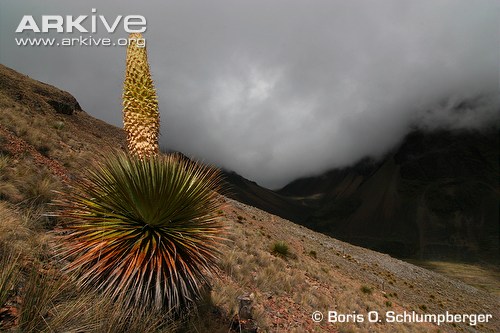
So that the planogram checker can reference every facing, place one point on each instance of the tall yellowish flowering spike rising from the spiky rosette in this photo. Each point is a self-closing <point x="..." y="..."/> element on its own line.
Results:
<point x="141" y="118"/>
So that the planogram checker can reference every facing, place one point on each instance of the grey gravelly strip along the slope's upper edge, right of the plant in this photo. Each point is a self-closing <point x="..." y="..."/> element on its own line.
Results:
<point x="417" y="289"/>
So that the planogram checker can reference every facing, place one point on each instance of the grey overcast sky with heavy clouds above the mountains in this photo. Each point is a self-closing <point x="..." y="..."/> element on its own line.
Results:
<point x="279" y="89"/>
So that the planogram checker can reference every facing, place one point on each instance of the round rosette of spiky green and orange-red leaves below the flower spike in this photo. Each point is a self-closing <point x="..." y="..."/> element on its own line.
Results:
<point x="144" y="230"/>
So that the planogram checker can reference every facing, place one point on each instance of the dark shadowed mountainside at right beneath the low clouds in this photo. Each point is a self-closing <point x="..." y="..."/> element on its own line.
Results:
<point x="436" y="195"/>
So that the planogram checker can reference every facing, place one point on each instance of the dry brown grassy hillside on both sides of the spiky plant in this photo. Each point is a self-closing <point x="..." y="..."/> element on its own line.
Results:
<point x="287" y="270"/>
